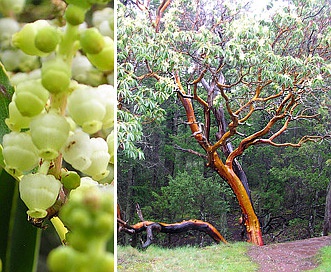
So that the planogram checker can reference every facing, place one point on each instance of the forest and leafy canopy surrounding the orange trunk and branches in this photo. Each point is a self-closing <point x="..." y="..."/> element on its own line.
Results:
<point x="156" y="164"/>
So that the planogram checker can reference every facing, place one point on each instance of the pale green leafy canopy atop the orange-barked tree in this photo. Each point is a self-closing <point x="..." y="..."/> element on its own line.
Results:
<point x="251" y="51"/>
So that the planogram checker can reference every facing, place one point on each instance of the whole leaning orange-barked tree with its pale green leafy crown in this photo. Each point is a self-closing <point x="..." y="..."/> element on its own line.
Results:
<point x="227" y="65"/>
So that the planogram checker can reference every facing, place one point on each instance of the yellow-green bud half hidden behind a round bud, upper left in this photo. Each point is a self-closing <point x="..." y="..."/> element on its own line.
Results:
<point x="26" y="37"/>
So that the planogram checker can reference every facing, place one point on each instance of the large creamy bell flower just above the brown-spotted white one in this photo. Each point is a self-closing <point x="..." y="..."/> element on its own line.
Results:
<point x="86" y="109"/>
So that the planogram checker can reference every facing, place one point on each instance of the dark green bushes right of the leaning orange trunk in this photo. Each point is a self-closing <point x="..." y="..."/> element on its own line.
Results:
<point x="291" y="184"/>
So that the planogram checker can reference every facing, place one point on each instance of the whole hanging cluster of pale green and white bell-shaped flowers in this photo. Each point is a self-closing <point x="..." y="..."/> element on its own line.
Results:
<point x="61" y="121"/>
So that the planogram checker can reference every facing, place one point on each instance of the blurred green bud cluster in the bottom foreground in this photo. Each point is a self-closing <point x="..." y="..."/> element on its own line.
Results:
<point x="89" y="215"/>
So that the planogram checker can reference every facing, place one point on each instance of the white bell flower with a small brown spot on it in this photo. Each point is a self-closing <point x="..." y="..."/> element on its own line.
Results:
<point x="77" y="150"/>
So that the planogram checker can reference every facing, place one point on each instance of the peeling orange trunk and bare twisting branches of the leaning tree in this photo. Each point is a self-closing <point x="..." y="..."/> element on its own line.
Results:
<point x="286" y="111"/>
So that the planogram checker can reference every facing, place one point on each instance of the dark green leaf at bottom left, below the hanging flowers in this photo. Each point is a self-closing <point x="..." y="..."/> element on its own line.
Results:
<point x="19" y="240"/>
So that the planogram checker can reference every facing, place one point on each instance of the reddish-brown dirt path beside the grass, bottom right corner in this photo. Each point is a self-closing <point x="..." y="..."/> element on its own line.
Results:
<point x="290" y="256"/>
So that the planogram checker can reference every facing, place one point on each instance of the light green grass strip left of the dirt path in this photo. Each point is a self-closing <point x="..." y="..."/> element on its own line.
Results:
<point x="231" y="257"/>
